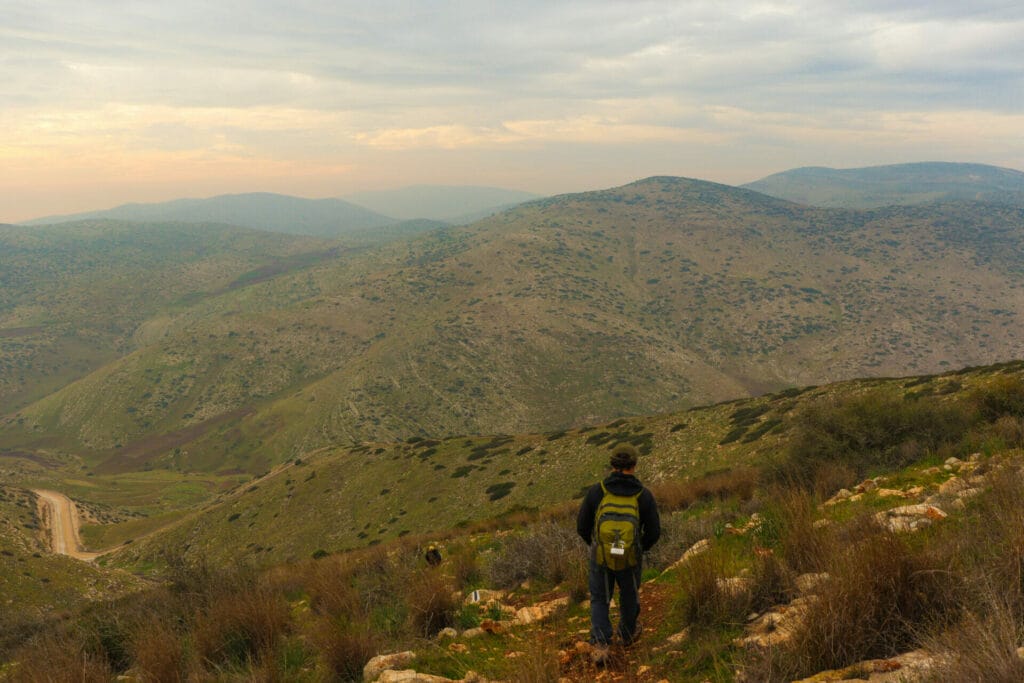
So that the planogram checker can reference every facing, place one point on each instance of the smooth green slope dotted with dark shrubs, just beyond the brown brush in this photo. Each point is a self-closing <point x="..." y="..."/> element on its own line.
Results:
<point x="346" y="498"/>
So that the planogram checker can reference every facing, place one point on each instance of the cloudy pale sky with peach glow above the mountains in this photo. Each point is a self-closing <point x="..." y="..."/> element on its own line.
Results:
<point x="104" y="103"/>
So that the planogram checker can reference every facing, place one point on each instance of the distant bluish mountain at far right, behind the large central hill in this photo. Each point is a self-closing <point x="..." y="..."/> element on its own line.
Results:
<point x="898" y="185"/>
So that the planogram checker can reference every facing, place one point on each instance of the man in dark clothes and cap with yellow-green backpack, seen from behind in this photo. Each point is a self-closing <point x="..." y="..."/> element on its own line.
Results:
<point x="615" y="564"/>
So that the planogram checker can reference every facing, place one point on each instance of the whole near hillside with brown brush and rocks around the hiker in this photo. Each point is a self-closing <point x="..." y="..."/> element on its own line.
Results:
<point x="794" y="508"/>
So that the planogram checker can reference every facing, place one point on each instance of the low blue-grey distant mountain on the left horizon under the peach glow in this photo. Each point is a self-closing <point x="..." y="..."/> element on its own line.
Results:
<point x="264" y="211"/>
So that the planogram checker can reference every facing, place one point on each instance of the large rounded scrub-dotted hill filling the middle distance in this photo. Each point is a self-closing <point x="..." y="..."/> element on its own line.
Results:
<point x="572" y="311"/>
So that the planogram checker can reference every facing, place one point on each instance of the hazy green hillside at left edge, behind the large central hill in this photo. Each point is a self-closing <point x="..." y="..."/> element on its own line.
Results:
<point x="75" y="296"/>
